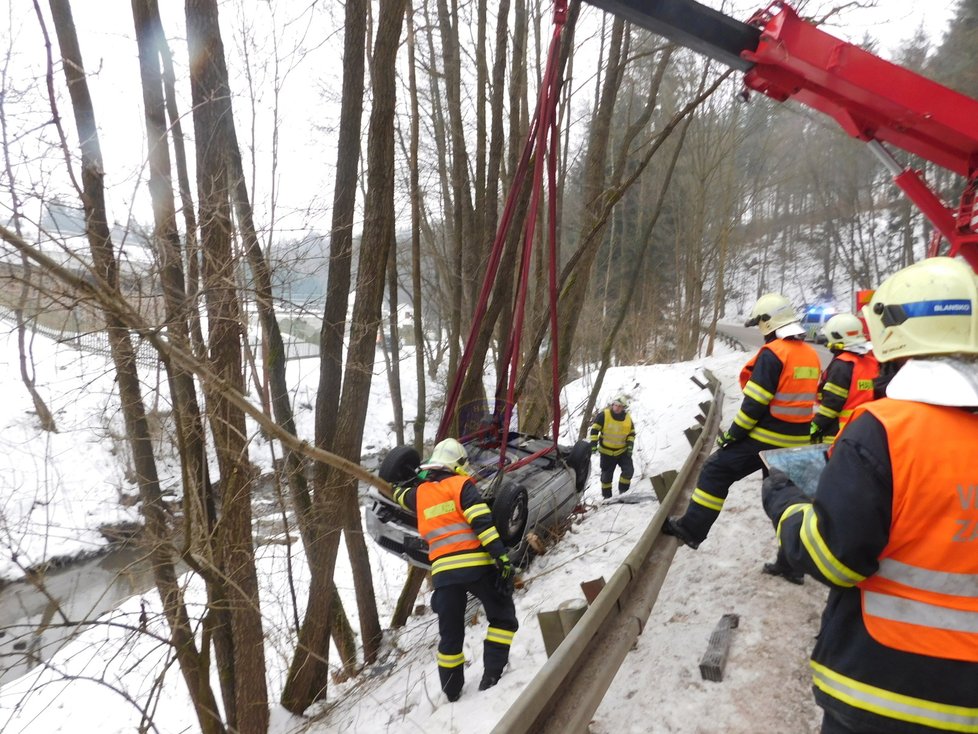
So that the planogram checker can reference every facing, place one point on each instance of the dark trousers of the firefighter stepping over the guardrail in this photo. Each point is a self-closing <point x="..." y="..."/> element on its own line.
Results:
<point x="723" y="468"/>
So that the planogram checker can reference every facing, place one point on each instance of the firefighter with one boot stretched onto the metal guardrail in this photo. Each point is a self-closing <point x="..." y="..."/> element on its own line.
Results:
<point x="779" y="384"/>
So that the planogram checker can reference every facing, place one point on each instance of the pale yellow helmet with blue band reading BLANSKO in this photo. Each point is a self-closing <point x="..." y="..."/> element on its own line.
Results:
<point x="928" y="308"/>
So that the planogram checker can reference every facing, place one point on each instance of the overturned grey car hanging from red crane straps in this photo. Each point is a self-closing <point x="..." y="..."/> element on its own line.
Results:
<point x="535" y="494"/>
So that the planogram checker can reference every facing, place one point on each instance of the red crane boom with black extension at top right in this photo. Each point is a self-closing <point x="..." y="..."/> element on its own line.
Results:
<point x="871" y="99"/>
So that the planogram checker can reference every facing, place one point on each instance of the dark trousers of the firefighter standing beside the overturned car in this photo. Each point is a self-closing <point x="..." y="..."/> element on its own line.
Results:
<point x="448" y="602"/>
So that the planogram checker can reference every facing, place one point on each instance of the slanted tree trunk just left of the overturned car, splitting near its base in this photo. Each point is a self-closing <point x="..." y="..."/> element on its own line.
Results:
<point x="336" y="497"/>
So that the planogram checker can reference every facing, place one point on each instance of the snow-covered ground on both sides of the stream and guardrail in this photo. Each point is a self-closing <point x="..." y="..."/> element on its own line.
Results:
<point x="57" y="488"/>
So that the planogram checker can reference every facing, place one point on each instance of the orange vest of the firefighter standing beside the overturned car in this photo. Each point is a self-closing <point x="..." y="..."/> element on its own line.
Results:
<point x="442" y="523"/>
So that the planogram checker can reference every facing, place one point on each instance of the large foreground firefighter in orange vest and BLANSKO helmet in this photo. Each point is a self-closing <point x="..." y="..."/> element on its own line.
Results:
<point x="893" y="527"/>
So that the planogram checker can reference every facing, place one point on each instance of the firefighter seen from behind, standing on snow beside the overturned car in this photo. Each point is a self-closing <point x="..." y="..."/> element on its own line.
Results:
<point x="467" y="557"/>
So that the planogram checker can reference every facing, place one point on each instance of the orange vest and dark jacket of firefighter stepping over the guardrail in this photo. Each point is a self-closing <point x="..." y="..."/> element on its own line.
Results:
<point x="788" y="406"/>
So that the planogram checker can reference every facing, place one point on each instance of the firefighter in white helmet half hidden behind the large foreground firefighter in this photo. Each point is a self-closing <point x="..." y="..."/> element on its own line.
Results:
<point x="848" y="380"/>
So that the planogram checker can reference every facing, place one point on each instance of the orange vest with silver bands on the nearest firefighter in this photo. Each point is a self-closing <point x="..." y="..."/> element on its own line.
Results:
<point x="924" y="597"/>
